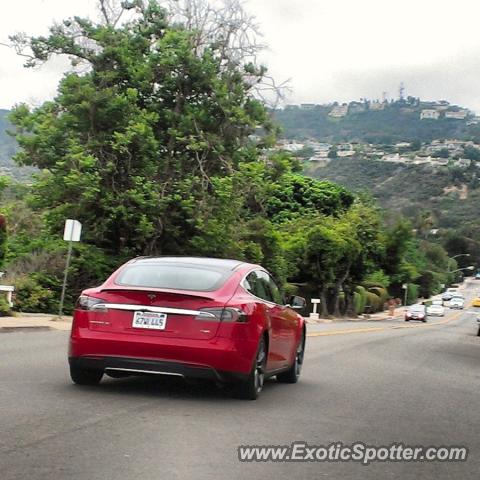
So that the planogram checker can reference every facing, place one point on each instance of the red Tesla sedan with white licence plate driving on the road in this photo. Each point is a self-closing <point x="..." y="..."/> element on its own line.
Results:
<point x="223" y="320"/>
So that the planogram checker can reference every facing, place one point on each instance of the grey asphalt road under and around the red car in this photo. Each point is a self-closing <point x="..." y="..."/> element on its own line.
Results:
<point x="418" y="385"/>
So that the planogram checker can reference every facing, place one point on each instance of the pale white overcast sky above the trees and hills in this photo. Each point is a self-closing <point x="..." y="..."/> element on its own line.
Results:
<point x="330" y="49"/>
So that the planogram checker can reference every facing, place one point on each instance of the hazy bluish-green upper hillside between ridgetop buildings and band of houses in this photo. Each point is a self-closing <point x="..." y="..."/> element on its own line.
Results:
<point x="397" y="122"/>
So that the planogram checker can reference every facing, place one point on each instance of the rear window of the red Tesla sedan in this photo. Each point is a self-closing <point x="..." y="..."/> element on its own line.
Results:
<point x="174" y="277"/>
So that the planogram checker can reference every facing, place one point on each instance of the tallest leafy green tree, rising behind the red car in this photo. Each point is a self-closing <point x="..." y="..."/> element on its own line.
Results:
<point x="130" y="146"/>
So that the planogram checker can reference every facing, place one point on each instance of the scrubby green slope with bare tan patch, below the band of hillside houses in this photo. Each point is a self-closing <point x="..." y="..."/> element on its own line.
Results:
<point x="451" y="195"/>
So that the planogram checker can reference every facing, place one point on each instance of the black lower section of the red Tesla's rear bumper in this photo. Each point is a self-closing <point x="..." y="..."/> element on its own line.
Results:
<point x="139" y="366"/>
